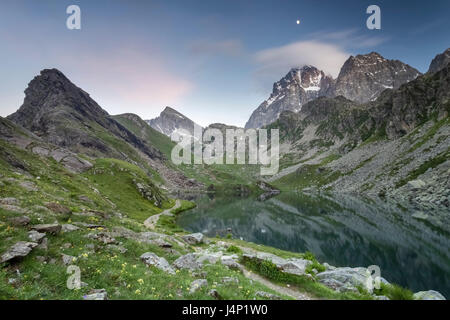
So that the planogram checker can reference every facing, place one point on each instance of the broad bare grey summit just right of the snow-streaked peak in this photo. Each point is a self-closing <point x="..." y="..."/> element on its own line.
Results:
<point x="362" y="78"/>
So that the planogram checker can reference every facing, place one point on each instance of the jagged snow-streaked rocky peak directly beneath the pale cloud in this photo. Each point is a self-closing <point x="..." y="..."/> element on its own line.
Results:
<point x="298" y="87"/>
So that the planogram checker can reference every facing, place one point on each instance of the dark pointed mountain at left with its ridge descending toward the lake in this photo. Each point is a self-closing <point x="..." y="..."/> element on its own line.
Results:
<point x="59" y="113"/>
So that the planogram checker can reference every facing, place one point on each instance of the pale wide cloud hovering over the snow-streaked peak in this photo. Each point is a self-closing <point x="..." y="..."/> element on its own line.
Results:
<point x="327" y="57"/>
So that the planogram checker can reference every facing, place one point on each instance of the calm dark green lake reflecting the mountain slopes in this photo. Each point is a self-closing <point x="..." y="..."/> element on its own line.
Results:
<point x="340" y="230"/>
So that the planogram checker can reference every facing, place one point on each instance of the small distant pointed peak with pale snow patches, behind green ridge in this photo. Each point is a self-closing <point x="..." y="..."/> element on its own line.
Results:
<point x="170" y="120"/>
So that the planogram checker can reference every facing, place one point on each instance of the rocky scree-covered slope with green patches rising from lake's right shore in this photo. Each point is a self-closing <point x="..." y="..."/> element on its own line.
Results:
<point x="397" y="145"/>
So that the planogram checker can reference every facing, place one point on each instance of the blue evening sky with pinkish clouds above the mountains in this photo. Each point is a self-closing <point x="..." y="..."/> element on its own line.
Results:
<point x="212" y="60"/>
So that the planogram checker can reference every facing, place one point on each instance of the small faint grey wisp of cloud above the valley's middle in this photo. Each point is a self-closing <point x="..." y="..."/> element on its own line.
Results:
<point x="230" y="47"/>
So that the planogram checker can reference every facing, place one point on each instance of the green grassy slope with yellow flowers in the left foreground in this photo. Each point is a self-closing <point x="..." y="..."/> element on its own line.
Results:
<point x="124" y="276"/>
